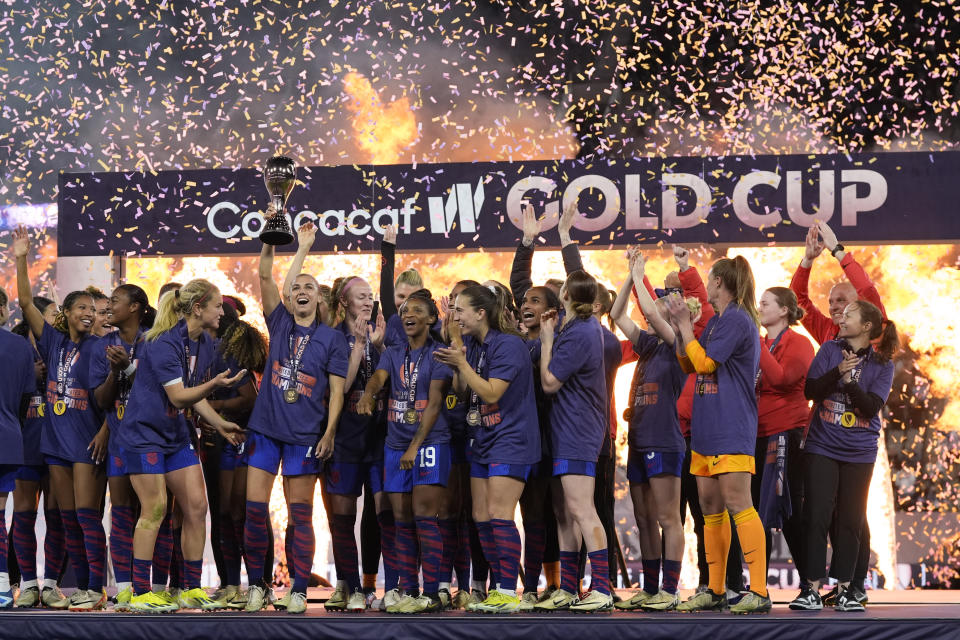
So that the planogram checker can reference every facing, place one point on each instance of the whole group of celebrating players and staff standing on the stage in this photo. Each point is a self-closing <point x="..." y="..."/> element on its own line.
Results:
<point x="445" y="413"/>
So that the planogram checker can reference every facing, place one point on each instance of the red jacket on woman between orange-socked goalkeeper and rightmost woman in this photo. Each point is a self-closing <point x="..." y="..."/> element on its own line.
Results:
<point x="781" y="405"/>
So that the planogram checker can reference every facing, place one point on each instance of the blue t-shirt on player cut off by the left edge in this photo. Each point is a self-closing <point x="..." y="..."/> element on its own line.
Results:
<point x="17" y="381"/>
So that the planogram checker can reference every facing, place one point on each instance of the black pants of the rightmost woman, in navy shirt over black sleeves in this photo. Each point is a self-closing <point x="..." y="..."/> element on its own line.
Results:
<point x="831" y="485"/>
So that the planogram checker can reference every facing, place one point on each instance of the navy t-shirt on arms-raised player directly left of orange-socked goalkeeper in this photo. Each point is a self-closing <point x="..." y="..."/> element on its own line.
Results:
<point x="659" y="379"/>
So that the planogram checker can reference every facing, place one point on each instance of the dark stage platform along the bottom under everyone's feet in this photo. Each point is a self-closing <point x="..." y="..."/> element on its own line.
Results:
<point x="900" y="615"/>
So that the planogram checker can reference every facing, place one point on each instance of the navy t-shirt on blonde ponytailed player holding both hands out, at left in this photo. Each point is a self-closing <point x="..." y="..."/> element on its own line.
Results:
<point x="151" y="423"/>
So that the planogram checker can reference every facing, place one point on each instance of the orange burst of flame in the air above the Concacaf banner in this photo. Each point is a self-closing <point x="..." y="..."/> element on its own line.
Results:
<point x="381" y="130"/>
